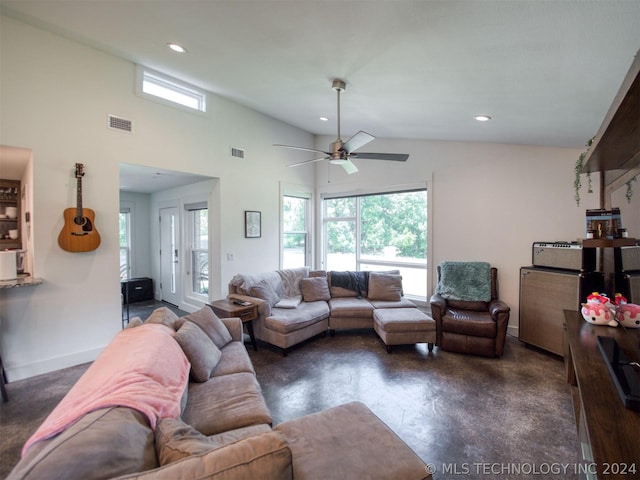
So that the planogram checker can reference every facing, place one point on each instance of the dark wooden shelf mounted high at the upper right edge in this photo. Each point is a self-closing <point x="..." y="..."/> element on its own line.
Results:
<point x="616" y="147"/>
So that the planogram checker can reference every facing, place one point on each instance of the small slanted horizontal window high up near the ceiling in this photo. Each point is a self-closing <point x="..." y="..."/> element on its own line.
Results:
<point x="171" y="90"/>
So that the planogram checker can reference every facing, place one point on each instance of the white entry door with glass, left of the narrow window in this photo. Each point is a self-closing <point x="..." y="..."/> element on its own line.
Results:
<point x="169" y="259"/>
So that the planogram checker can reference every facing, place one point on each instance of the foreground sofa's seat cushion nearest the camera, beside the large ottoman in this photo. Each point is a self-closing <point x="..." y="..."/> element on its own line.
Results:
<point x="225" y="403"/>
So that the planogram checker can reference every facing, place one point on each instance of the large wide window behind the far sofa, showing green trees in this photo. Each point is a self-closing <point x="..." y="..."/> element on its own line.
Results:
<point x="379" y="232"/>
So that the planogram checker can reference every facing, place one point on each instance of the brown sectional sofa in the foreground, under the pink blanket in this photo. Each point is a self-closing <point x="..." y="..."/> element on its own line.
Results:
<point x="224" y="430"/>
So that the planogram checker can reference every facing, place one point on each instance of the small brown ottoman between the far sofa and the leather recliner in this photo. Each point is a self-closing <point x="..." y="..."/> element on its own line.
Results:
<point x="401" y="326"/>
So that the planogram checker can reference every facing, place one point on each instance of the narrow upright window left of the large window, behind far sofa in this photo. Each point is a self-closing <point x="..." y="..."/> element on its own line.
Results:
<point x="295" y="231"/>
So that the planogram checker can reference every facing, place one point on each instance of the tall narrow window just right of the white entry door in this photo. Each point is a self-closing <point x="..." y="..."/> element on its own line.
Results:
<point x="198" y="224"/>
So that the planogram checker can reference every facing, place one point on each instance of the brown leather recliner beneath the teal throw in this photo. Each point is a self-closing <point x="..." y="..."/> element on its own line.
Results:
<point x="476" y="328"/>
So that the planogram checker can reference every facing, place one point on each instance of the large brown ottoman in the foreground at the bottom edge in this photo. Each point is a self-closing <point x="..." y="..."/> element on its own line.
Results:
<point x="349" y="442"/>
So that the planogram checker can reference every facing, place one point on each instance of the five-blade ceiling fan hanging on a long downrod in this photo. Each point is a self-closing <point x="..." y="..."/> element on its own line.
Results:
<point x="342" y="152"/>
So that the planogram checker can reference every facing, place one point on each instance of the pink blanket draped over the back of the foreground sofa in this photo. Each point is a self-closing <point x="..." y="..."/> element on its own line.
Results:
<point x="143" y="368"/>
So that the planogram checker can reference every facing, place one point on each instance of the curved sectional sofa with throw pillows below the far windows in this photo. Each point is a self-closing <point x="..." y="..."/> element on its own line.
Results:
<point x="297" y="304"/>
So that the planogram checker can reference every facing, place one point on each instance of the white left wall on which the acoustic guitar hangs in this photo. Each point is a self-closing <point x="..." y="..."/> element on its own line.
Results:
<point x="55" y="96"/>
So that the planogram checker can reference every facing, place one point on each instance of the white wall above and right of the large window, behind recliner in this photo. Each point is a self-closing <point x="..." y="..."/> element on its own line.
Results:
<point x="489" y="202"/>
